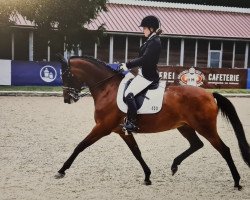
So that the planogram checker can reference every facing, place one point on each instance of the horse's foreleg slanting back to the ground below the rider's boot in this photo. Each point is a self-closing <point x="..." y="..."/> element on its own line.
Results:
<point x="132" y="144"/>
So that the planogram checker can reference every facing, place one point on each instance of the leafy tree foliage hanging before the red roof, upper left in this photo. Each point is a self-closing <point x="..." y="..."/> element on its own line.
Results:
<point x="65" y="17"/>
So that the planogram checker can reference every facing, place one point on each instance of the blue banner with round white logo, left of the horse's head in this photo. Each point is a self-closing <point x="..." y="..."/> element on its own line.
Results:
<point x="35" y="73"/>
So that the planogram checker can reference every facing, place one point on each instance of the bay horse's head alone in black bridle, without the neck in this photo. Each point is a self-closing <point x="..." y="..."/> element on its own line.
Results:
<point x="71" y="86"/>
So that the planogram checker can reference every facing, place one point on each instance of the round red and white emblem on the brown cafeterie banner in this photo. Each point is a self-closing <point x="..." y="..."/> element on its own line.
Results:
<point x="191" y="77"/>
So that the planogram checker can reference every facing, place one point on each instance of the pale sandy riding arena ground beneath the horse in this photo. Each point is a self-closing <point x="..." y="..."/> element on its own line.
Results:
<point x="37" y="134"/>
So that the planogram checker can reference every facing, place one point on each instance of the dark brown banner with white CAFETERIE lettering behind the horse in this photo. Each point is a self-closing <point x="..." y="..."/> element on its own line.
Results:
<point x="205" y="77"/>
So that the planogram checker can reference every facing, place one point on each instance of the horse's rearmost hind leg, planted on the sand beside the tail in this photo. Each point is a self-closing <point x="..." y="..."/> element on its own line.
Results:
<point x="219" y="145"/>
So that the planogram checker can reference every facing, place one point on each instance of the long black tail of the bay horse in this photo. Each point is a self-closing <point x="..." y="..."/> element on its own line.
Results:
<point x="228" y="111"/>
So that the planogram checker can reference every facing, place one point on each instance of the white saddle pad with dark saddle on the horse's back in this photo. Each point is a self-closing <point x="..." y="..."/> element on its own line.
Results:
<point x="148" y="101"/>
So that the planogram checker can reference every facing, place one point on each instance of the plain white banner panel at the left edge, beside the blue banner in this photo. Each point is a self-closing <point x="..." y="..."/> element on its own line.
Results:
<point x="5" y="72"/>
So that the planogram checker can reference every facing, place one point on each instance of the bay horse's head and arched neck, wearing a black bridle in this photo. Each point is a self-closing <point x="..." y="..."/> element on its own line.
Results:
<point x="84" y="71"/>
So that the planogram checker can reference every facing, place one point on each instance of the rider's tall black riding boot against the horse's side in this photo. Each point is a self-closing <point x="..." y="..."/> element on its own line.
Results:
<point x="130" y="124"/>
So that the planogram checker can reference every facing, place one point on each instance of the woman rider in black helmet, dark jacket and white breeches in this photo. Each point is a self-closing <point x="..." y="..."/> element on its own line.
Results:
<point x="147" y="60"/>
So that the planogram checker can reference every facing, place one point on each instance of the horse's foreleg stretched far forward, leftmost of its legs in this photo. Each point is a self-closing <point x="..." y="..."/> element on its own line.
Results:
<point x="96" y="134"/>
